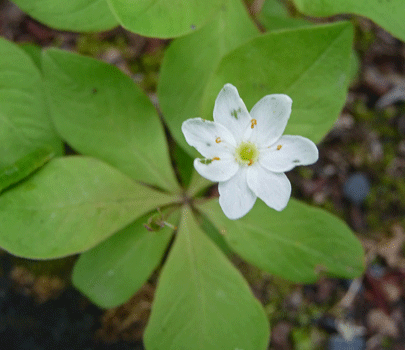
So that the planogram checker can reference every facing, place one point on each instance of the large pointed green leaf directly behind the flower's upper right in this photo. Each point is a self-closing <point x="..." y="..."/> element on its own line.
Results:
<point x="311" y="65"/>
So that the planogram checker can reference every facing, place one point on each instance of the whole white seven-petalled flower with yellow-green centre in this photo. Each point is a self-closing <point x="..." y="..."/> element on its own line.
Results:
<point x="246" y="153"/>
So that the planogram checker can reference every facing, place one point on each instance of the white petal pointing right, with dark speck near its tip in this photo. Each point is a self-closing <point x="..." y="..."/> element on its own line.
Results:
<point x="288" y="152"/>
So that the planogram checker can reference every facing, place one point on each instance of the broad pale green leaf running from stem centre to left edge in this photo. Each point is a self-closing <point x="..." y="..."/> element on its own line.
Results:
<point x="69" y="206"/>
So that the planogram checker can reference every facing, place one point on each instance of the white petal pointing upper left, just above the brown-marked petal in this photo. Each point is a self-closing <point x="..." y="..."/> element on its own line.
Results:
<point x="209" y="138"/>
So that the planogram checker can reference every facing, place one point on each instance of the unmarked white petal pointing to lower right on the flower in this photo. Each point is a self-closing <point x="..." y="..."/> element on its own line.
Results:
<point x="274" y="189"/>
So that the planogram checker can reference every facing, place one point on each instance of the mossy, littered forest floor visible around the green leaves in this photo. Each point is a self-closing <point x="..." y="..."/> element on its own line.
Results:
<point x="360" y="177"/>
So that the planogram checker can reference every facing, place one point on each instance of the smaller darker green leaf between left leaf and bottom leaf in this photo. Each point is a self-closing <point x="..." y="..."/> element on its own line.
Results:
<point x="110" y="273"/>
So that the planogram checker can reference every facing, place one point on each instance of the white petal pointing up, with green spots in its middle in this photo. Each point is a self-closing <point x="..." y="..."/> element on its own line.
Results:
<point x="231" y="112"/>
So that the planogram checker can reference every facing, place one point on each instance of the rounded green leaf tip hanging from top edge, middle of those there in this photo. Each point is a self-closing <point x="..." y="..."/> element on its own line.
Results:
<point x="165" y="18"/>
